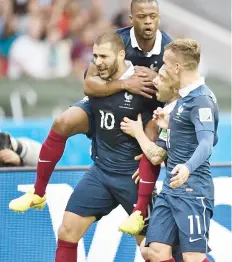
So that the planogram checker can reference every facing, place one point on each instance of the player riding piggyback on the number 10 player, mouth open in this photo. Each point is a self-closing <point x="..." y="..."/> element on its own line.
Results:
<point x="144" y="47"/>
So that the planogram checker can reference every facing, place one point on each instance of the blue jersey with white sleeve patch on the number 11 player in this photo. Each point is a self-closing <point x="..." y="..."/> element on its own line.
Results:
<point x="198" y="111"/>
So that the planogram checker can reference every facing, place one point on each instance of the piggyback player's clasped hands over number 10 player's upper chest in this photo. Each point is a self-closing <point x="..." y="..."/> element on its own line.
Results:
<point x="140" y="86"/>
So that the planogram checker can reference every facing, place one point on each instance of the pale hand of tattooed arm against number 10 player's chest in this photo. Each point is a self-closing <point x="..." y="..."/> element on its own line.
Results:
<point x="131" y="127"/>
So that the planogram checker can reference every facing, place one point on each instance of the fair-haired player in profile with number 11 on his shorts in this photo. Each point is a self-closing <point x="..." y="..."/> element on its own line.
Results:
<point x="185" y="205"/>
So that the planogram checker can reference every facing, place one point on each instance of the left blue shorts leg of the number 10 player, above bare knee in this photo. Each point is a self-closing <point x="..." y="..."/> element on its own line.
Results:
<point x="91" y="197"/>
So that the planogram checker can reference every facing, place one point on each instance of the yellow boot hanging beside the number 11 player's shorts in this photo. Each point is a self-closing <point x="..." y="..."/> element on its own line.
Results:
<point x="133" y="225"/>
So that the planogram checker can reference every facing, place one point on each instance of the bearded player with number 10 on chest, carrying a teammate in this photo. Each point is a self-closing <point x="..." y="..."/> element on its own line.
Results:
<point x="106" y="184"/>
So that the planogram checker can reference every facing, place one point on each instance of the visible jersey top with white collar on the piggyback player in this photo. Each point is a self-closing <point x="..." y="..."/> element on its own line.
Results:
<point x="152" y="59"/>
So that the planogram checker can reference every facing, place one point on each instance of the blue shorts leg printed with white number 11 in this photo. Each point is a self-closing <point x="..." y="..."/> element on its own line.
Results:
<point x="192" y="216"/>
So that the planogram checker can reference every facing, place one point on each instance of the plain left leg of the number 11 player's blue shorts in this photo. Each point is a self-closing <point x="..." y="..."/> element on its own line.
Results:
<point x="162" y="227"/>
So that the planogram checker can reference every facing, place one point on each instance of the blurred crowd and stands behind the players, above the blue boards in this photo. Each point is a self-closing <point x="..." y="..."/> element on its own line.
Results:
<point x="46" y="45"/>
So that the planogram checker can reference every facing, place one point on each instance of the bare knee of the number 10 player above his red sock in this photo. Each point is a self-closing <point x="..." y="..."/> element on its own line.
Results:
<point x="74" y="226"/>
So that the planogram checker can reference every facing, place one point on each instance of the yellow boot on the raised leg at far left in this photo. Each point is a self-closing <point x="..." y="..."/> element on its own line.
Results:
<point x="27" y="201"/>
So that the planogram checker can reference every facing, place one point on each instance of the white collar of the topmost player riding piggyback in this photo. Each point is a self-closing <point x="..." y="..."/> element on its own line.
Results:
<point x="156" y="48"/>
